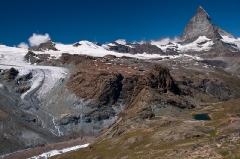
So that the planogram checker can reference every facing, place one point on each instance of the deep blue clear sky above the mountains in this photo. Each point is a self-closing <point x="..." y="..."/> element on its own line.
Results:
<point x="69" y="21"/>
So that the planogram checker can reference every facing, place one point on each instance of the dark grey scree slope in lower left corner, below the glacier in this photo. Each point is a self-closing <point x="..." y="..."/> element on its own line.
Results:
<point x="15" y="124"/>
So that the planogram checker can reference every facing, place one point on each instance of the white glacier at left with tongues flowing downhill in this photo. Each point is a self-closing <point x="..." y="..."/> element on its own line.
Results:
<point x="45" y="75"/>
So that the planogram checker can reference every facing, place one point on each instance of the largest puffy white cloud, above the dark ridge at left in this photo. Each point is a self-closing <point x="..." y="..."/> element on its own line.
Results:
<point x="37" y="39"/>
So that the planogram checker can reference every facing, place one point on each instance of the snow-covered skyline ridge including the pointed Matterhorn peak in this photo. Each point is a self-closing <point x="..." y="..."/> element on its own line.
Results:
<point x="199" y="35"/>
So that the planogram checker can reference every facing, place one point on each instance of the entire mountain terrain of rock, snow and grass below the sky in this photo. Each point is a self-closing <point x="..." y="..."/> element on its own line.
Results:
<point x="127" y="100"/>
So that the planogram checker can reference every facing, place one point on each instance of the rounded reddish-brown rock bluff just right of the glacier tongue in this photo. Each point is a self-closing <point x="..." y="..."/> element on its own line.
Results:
<point x="103" y="87"/>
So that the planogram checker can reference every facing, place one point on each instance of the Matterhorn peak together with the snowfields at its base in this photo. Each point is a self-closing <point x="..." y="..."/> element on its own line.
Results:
<point x="200" y="35"/>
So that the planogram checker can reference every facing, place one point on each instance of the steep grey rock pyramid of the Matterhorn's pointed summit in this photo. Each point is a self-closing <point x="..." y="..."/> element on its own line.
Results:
<point x="198" y="25"/>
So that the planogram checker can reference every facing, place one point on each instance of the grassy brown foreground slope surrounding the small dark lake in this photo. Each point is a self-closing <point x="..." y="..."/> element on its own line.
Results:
<point x="175" y="136"/>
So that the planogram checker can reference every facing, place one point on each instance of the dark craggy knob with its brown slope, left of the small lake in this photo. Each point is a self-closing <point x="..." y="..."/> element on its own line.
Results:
<point x="154" y="94"/>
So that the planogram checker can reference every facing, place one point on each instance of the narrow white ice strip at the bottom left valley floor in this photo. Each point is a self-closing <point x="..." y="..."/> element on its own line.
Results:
<point x="52" y="153"/>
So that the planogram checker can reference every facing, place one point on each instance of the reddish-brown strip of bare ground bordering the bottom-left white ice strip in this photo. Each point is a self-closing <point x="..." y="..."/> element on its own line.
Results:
<point x="56" y="146"/>
